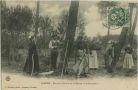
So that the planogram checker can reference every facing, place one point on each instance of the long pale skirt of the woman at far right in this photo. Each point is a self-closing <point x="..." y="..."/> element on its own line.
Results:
<point x="128" y="61"/>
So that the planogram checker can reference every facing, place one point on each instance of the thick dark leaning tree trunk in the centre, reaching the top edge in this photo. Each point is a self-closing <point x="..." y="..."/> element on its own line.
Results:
<point x="70" y="33"/>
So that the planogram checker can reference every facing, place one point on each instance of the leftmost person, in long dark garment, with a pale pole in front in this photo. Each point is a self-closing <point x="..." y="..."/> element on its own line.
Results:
<point x="32" y="63"/>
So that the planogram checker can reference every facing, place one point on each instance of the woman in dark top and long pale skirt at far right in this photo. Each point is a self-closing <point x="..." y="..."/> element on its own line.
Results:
<point x="128" y="60"/>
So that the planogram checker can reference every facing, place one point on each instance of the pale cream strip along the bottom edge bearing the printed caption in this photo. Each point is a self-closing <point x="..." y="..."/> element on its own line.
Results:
<point x="22" y="82"/>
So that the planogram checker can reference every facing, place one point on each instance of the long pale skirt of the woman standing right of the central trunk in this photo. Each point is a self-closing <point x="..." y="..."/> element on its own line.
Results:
<point x="93" y="61"/>
